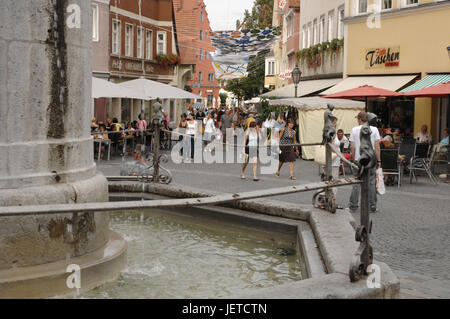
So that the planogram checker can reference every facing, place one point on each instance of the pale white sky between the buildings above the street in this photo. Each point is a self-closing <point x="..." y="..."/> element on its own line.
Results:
<point x="224" y="13"/>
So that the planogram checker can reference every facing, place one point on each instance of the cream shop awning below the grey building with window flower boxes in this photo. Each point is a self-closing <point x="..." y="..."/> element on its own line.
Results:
<point x="304" y="88"/>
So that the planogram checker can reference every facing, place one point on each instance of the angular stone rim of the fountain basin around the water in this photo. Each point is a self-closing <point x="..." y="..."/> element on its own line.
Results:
<point x="326" y="245"/>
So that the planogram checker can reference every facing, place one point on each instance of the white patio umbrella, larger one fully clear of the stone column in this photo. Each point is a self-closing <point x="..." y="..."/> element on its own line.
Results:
<point x="153" y="90"/>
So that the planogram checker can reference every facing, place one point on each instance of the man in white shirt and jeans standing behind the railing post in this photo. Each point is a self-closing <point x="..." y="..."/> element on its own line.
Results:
<point x="355" y="145"/>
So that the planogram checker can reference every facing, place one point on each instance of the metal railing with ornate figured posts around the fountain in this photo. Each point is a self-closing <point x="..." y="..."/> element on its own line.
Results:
<point x="363" y="256"/>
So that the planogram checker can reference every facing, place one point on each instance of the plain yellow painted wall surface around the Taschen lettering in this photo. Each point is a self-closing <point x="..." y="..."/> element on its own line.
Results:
<point x="423" y="37"/>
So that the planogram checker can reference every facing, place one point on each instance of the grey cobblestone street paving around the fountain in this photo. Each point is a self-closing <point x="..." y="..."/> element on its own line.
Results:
<point x="410" y="233"/>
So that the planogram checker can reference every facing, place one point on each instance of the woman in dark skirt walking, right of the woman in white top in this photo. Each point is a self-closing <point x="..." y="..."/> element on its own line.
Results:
<point x="287" y="153"/>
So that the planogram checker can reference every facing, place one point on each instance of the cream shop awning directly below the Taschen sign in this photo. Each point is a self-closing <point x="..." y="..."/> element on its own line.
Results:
<point x="391" y="82"/>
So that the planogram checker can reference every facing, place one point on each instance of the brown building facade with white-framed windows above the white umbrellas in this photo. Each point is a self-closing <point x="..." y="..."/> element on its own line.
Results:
<point x="133" y="39"/>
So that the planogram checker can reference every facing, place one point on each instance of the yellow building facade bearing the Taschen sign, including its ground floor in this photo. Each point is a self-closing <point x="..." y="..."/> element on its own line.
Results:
<point x="396" y="43"/>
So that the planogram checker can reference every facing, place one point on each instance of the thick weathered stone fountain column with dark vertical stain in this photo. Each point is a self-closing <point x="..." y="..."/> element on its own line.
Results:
<point x="46" y="151"/>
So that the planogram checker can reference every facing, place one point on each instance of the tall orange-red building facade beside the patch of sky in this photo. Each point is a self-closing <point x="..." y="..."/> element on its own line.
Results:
<point x="193" y="30"/>
